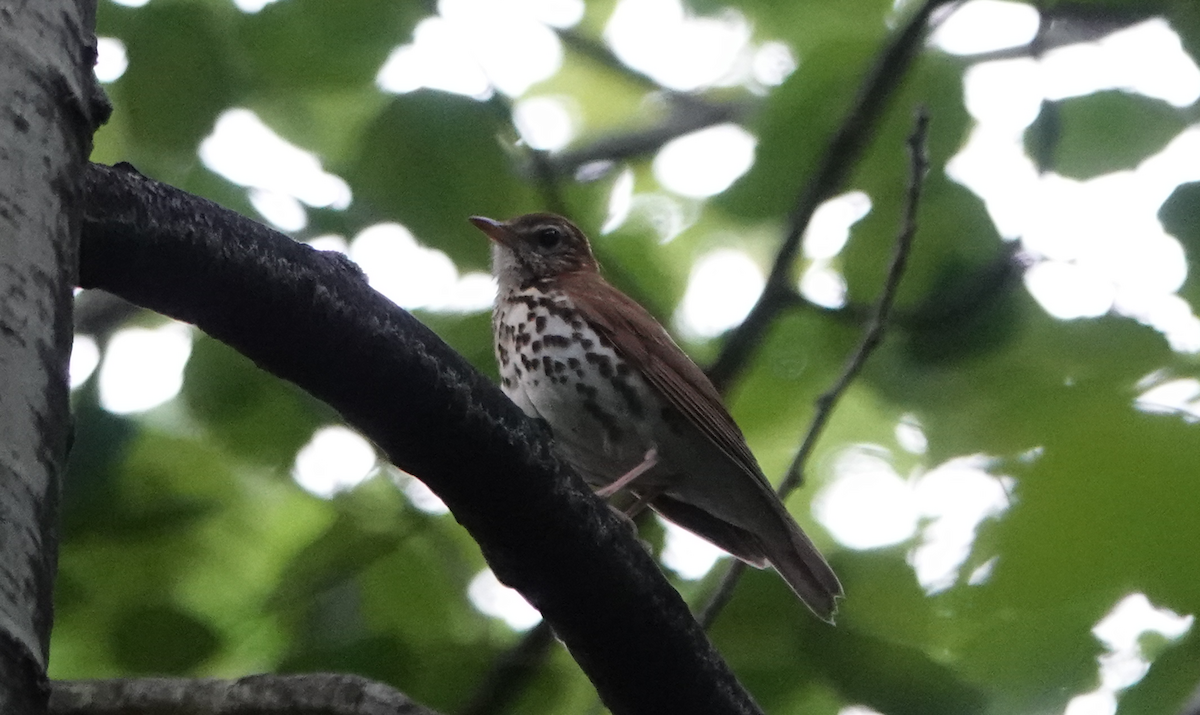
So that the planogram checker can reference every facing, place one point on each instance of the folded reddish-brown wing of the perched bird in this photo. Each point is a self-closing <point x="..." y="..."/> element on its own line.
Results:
<point x="646" y="345"/>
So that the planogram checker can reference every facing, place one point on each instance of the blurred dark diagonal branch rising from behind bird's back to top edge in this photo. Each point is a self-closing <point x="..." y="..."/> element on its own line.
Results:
<point x="839" y="159"/>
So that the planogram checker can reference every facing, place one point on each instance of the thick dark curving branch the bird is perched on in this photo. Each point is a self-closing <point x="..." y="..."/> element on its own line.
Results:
<point x="310" y="317"/>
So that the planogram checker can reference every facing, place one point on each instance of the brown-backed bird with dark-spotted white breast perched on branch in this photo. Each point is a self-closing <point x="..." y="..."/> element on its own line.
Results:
<point x="627" y="407"/>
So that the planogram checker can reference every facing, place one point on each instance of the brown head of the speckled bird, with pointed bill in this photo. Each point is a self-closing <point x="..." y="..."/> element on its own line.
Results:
<point x="536" y="248"/>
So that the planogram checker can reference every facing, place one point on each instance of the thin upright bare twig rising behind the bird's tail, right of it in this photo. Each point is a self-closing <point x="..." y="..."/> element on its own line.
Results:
<point x="872" y="339"/>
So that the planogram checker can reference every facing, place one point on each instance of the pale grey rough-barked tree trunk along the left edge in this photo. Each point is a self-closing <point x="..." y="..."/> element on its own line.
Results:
<point x="50" y="107"/>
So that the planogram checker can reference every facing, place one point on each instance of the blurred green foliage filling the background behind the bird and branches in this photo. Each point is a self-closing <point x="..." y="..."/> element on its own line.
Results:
<point x="189" y="550"/>
